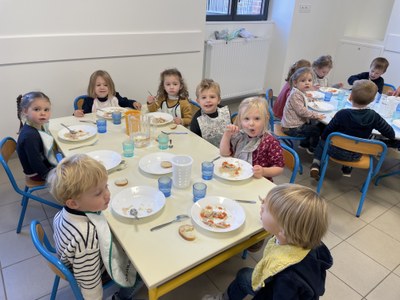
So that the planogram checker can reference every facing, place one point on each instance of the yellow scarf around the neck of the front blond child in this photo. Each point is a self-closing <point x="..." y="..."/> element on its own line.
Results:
<point x="276" y="258"/>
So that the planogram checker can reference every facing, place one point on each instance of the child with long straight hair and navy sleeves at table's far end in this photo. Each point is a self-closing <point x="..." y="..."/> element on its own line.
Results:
<point x="101" y="94"/>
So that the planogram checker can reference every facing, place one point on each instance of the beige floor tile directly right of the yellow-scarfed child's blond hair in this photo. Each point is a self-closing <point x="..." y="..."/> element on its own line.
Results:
<point x="342" y="223"/>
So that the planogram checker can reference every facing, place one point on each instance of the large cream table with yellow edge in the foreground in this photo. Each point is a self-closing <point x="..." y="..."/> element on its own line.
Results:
<point x="163" y="258"/>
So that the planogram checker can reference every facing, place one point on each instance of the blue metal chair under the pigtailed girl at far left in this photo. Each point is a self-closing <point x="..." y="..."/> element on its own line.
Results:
<point x="8" y="147"/>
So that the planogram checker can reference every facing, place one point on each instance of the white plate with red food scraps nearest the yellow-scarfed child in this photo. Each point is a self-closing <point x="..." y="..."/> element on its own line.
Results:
<point x="236" y="214"/>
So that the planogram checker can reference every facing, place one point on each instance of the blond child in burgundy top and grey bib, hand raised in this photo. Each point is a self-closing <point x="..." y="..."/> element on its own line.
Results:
<point x="250" y="141"/>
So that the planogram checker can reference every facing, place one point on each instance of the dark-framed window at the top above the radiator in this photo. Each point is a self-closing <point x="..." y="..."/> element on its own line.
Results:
<point x="237" y="10"/>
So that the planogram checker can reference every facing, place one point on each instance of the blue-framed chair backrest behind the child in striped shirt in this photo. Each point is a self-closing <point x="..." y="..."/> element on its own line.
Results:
<point x="42" y="244"/>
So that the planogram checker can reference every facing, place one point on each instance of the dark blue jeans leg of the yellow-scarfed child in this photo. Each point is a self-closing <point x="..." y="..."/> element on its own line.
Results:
<point x="241" y="285"/>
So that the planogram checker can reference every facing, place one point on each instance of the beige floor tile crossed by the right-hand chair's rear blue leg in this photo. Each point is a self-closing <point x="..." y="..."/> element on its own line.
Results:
<point x="371" y="209"/>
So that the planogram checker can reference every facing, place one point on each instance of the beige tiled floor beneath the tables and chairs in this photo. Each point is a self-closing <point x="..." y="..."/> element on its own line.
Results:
<point x="366" y="250"/>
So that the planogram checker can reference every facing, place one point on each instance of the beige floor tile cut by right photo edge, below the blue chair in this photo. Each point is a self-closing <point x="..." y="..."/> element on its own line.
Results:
<point x="377" y="245"/>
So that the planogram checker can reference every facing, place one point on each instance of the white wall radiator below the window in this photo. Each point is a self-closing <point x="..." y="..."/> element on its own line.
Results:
<point x="239" y="66"/>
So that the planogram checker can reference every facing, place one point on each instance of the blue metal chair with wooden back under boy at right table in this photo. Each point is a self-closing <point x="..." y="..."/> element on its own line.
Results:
<point x="369" y="149"/>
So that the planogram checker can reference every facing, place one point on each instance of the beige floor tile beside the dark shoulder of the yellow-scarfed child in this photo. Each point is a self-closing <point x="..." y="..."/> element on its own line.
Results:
<point x="358" y="274"/>
